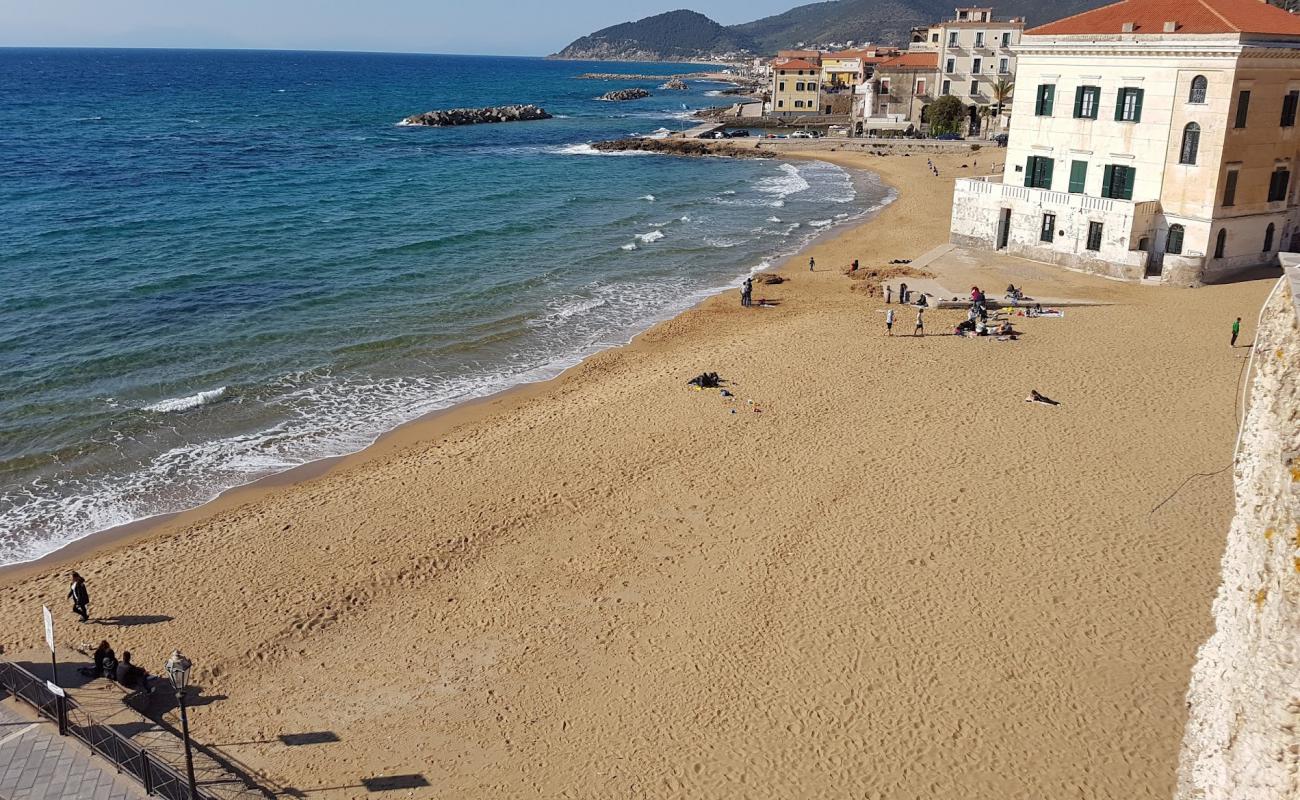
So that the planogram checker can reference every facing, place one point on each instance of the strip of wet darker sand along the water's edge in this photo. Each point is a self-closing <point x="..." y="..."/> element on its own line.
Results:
<point x="434" y="426"/>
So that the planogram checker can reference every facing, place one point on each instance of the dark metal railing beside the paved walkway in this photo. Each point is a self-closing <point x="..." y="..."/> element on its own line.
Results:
<point x="127" y="756"/>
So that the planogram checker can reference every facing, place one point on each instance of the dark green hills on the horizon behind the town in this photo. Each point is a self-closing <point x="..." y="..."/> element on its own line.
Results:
<point x="690" y="36"/>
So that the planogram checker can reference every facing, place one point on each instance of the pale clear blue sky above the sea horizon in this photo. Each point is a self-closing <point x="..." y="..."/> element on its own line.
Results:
<point x="519" y="28"/>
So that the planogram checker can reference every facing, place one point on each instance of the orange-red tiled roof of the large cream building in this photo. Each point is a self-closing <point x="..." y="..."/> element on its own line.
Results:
<point x="1191" y="16"/>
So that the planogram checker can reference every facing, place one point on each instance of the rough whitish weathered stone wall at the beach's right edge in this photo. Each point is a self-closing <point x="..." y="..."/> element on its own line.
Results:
<point x="1243" y="729"/>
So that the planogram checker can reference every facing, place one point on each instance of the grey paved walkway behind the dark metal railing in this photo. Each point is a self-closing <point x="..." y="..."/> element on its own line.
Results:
<point x="38" y="764"/>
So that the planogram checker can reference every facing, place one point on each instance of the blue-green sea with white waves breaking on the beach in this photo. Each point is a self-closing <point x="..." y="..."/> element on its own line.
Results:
<point x="216" y="266"/>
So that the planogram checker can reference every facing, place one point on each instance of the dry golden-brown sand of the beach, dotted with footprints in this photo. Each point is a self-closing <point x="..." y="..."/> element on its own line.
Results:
<point x="898" y="580"/>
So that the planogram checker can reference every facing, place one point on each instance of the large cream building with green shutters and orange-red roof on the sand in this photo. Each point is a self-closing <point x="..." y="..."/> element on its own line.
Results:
<point x="1150" y="140"/>
